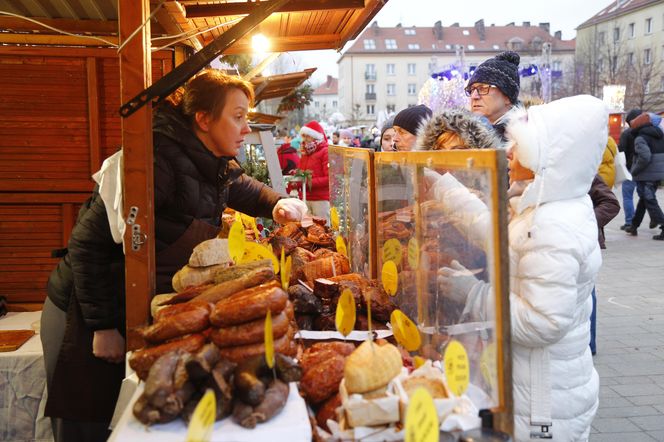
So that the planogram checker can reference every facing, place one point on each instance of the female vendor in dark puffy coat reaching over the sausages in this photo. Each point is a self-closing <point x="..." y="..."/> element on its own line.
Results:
<point x="197" y="133"/>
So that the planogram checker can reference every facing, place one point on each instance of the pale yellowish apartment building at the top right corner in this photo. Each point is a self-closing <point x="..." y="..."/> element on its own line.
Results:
<point x="624" y="44"/>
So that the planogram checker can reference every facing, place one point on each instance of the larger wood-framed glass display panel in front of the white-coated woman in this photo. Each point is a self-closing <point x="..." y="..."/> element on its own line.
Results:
<point x="441" y="217"/>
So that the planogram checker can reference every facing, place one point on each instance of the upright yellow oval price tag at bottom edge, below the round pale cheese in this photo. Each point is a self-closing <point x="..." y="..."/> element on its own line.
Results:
<point x="422" y="418"/>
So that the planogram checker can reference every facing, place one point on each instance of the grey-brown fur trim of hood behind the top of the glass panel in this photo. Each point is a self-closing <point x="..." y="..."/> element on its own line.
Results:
<point x="475" y="131"/>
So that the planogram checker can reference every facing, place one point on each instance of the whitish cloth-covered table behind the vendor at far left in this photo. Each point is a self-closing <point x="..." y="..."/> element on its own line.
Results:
<point x="23" y="385"/>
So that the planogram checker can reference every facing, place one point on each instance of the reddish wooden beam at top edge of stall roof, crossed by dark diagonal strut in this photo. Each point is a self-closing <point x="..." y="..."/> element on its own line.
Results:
<point x="244" y="8"/>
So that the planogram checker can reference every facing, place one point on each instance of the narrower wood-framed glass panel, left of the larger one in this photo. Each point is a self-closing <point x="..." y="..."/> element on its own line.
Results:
<point x="352" y="196"/>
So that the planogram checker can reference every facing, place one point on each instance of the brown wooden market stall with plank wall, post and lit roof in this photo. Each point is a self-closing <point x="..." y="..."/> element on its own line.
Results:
<point x="60" y="65"/>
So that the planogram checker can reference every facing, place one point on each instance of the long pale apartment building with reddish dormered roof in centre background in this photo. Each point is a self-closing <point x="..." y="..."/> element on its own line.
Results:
<point x="385" y="68"/>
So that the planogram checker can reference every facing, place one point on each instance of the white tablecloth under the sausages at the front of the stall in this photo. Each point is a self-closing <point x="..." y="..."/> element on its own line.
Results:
<point x="291" y="424"/>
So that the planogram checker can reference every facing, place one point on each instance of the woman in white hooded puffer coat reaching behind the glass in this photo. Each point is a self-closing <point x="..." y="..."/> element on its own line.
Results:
<point x="554" y="260"/>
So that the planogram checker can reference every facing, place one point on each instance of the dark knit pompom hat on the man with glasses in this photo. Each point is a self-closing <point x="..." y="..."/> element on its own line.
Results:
<point x="501" y="71"/>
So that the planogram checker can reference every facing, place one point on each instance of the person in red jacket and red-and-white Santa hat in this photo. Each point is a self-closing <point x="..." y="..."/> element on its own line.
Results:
<point x="314" y="158"/>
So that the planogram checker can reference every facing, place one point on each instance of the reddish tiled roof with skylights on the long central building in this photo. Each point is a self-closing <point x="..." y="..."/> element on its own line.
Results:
<point x="496" y="38"/>
